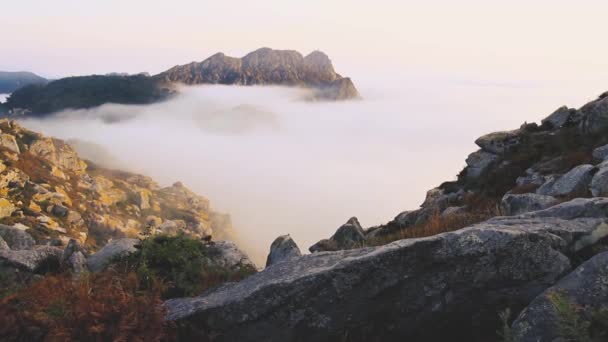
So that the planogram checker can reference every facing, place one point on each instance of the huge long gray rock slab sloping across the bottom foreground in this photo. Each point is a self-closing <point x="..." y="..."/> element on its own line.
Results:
<point x="413" y="289"/>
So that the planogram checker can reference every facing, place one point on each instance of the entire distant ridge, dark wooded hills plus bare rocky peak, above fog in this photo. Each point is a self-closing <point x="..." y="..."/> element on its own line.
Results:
<point x="261" y="67"/>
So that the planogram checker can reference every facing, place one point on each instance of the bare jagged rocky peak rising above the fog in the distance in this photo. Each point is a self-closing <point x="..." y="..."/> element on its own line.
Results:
<point x="268" y="67"/>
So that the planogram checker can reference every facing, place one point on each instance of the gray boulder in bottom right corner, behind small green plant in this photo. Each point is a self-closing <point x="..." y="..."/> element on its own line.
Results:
<point x="586" y="288"/>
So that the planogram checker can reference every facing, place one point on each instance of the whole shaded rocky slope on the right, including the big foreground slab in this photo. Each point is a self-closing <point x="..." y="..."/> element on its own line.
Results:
<point x="524" y="230"/>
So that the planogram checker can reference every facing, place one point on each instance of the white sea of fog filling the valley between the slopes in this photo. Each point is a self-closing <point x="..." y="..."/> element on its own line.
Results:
<point x="280" y="165"/>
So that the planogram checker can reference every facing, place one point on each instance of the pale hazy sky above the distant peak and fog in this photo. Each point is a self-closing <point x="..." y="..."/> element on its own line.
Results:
<point x="497" y="41"/>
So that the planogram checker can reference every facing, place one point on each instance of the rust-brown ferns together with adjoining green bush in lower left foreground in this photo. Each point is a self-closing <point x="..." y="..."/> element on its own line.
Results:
<point x="122" y="303"/>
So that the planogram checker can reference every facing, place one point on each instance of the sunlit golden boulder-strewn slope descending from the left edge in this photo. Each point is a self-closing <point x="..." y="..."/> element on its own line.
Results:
<point x="53" y="195"/>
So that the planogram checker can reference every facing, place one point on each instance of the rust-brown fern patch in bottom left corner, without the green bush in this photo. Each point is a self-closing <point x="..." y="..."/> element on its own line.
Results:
<point x="110" y="306"/>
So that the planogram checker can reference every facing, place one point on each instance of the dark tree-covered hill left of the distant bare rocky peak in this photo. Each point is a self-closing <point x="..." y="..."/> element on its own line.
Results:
<point x="87" y="92"/>
